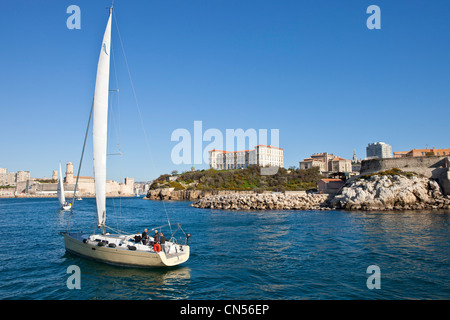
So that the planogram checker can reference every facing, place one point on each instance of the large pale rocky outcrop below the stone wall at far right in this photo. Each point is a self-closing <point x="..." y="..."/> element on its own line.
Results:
<point x="391" y="192"/>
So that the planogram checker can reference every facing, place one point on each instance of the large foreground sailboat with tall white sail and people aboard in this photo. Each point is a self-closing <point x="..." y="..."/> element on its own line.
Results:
<point x="118" y="249"/>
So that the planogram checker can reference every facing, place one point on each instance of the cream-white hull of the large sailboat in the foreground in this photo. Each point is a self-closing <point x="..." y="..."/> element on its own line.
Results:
<point x="143" y="256"/>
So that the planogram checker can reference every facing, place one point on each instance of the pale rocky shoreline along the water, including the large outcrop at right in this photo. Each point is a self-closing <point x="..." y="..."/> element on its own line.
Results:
<point x="375" y="192"/>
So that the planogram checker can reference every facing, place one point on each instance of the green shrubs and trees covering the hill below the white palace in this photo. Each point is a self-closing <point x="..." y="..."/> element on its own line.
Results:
<point x="241" y="179"/>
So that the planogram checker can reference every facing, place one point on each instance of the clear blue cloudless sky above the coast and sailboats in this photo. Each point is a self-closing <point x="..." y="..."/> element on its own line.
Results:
<point x="311" y="69"/>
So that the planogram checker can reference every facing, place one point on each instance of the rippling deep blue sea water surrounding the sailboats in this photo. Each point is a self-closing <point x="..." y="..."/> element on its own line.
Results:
<point x="257" y="255"/>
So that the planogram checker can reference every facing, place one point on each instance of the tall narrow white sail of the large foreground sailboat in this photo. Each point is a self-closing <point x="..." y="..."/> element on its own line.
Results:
<point x="100" y="122"/>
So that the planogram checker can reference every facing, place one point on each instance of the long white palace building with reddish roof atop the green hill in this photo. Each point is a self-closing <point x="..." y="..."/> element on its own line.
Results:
<point x="262" y="155"/>
